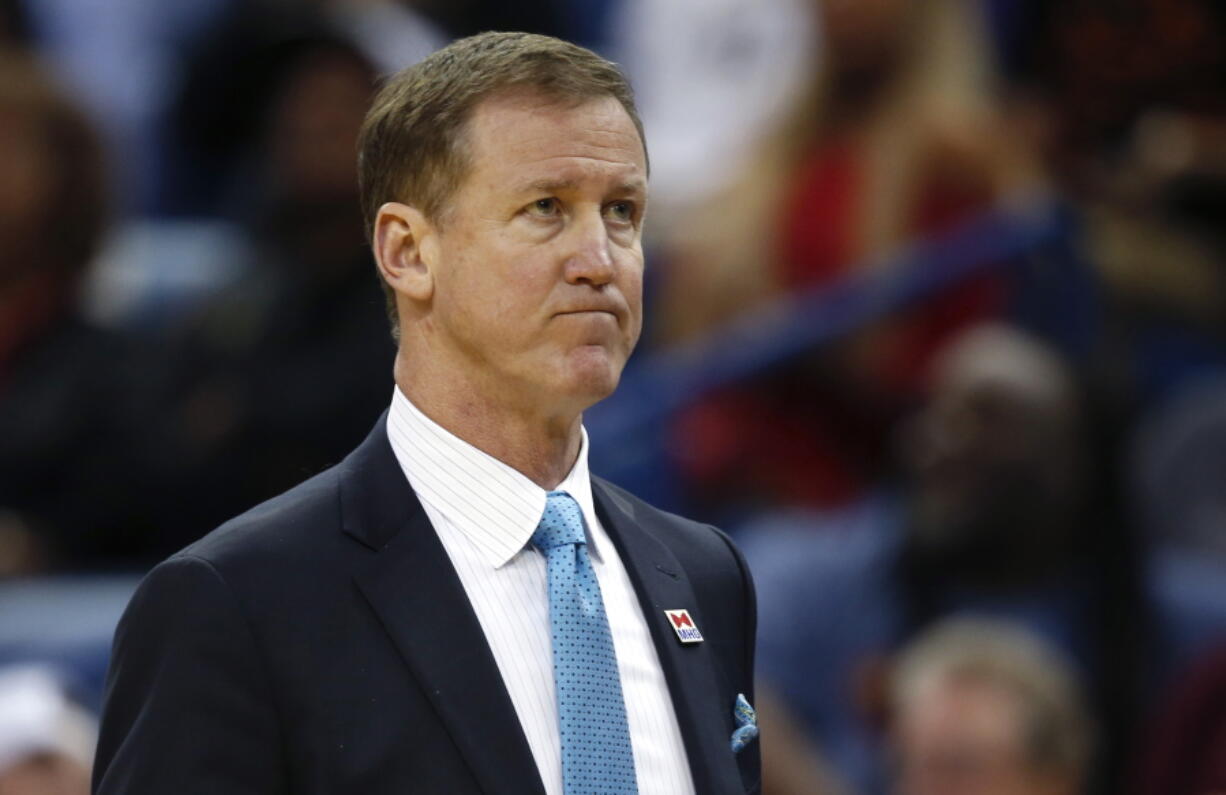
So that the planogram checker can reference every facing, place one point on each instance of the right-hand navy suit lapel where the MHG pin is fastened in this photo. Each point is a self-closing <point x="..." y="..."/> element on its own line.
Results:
<point x="690" y="669"/>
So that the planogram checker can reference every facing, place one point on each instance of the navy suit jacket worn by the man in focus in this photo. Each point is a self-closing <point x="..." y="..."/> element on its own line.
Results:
<point x="322" y="643"/>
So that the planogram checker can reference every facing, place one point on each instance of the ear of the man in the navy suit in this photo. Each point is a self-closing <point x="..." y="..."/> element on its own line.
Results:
<point x="405" y="248"/>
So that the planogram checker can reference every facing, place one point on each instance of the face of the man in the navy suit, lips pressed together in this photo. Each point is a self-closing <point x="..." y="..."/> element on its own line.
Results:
<point x="539" y="280"/>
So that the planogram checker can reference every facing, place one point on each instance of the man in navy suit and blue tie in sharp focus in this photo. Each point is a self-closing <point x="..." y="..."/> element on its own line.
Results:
<point x="459" y="607"/>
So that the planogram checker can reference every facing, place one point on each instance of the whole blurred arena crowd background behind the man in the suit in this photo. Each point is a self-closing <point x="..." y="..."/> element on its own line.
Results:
<point x="936" y="329"/>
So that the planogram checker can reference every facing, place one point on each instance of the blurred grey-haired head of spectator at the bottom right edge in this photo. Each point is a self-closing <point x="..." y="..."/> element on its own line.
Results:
<point x="986" y="710"/>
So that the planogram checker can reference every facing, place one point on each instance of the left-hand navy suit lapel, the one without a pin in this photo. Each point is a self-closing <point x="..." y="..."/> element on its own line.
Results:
<point x="421" y="603"/>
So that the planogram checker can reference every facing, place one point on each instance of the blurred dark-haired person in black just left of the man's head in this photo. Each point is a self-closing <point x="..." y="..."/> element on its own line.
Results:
<point x="281" y="374"/>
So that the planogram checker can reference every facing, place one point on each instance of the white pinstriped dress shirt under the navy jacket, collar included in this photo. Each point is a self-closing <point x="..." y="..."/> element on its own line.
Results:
<point x="485" y="513"/>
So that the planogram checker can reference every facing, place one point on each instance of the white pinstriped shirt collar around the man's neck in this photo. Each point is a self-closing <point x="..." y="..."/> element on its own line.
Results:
<point x="493" y="505"/>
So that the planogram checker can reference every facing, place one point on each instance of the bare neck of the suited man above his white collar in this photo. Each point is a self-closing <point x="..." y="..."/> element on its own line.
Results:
<point x="541" y="447"/>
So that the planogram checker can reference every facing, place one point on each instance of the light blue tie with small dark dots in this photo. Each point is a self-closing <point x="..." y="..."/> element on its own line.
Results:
<point x="596" y="755"/>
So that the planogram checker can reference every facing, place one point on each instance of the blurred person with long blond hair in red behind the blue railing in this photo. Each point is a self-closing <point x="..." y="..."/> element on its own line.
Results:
<point x="910" y="143"/>
